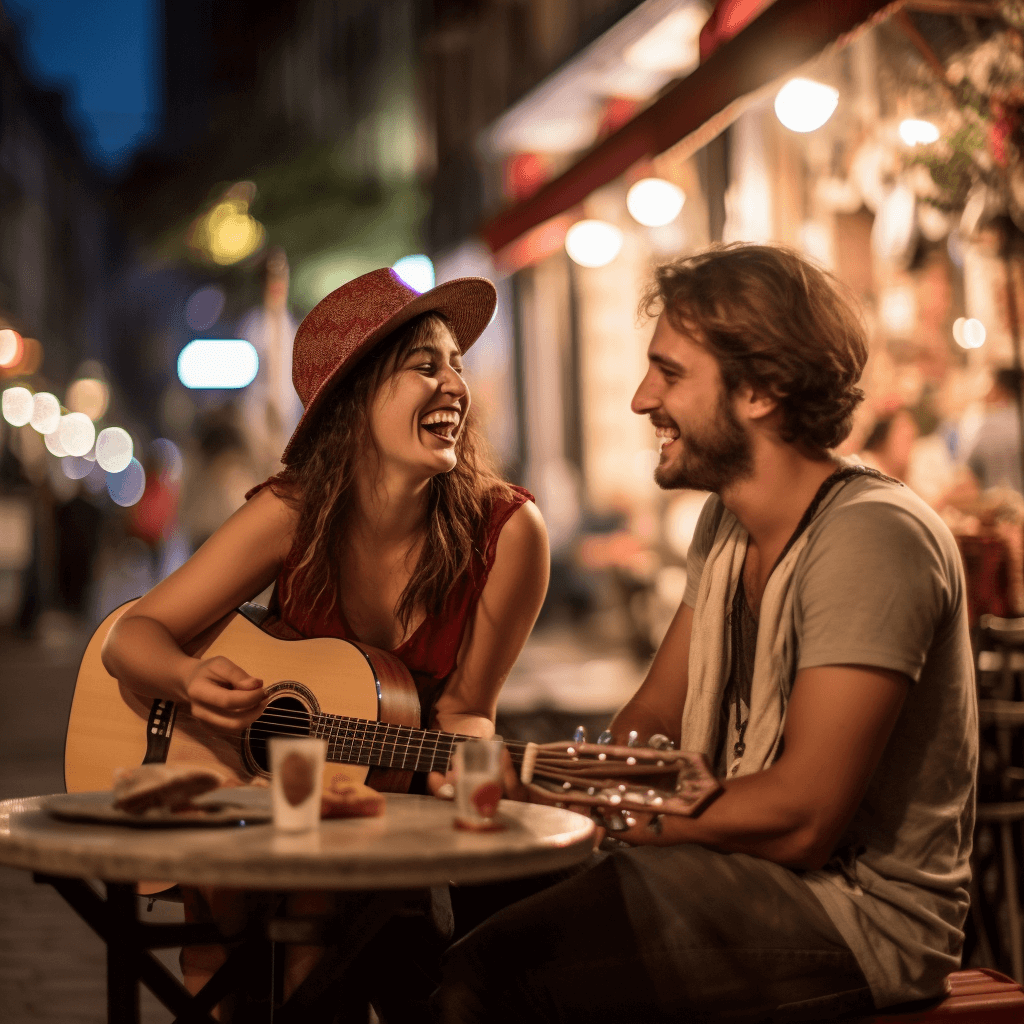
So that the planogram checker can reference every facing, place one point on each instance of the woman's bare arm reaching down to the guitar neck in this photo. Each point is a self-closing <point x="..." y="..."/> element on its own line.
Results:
<point x="508" y="608"/>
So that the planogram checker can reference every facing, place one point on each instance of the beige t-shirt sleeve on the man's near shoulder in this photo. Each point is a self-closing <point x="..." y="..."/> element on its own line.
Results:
<point x="874" y="589"/>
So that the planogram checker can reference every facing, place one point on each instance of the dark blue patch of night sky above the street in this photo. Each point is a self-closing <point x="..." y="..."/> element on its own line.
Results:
<point x="104" y="56"/>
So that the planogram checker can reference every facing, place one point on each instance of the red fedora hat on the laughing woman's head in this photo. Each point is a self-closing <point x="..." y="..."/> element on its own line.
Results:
<point x="348" y="324"/>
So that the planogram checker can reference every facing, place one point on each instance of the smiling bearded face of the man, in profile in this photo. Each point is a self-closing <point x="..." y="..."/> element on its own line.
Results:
<point x="704" y="445"/>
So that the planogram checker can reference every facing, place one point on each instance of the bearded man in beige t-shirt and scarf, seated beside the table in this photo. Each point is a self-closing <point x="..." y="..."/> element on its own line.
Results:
<point x="821" y="660"/>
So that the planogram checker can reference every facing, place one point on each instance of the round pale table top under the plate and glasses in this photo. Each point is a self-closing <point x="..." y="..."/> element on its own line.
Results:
<point x="412" y="845"/>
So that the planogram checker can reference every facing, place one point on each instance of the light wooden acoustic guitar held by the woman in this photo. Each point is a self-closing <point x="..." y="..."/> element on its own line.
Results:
<point x="364" y="703"/>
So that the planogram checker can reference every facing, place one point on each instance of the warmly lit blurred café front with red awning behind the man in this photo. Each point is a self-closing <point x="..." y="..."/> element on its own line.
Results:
<point x="911" y="193"/>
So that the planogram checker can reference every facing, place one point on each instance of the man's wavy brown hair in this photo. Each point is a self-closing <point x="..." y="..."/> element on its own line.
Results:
<point x="776" y="322"/>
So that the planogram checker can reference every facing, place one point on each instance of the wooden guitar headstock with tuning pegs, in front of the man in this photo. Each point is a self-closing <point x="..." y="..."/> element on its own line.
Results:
<point x="629" y="779"/>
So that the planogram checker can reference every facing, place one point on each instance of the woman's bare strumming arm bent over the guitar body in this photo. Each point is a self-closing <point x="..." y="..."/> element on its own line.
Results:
<point x="145" y="649"/>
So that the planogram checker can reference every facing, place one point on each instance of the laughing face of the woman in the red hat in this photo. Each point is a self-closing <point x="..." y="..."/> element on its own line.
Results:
<point x="419" y="412"/>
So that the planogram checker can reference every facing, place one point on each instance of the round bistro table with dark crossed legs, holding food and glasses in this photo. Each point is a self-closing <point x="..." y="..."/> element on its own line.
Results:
<point x="400" y="856"/>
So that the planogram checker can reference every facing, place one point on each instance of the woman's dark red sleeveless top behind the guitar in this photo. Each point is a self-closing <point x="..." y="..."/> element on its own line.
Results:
<point x="431" y="653"/>
